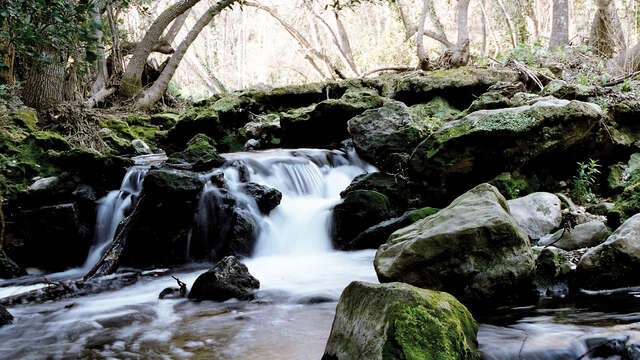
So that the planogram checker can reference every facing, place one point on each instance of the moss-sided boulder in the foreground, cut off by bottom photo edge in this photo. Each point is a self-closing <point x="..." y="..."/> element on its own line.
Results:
<point x="400" y="321"/>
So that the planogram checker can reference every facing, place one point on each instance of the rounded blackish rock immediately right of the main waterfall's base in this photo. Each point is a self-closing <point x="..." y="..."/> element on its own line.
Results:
<point x="359" y="210"/>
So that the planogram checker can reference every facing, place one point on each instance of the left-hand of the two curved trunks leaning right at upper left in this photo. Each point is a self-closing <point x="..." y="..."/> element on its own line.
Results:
<point x="132" y="78"/>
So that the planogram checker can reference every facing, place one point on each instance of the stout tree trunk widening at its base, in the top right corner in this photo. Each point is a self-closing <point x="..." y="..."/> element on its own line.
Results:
<point x="606" y="30"/>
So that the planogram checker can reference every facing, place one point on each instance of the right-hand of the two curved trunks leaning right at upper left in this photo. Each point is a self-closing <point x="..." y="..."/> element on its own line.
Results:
<point x="155" y="92"/>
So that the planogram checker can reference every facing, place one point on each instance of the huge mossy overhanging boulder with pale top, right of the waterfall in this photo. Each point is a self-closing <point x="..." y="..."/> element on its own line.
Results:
<point x="485" y="143"/>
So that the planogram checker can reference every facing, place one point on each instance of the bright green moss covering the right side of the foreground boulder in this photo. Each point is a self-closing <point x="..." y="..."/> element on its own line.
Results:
<point x="441" y="330"/>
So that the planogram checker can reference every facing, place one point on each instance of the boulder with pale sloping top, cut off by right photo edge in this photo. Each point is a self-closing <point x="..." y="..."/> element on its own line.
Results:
<point x="616" y="262"/>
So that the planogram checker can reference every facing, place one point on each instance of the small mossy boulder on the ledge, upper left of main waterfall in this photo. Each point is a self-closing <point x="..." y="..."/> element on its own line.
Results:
<point x="199" y="155"/>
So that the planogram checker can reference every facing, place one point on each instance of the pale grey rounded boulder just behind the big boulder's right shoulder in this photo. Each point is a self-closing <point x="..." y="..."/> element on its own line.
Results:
<point x="537" y="214"/>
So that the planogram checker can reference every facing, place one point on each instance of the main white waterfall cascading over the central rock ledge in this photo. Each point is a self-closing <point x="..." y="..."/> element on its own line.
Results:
<point x="310" y="181"/>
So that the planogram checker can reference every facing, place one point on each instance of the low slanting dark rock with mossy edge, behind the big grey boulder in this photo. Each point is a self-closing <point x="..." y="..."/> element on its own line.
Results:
<point x="378" y="234"/>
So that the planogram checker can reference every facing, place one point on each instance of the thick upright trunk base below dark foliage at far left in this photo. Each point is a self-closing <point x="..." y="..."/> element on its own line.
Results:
<point x="42" y="87"/>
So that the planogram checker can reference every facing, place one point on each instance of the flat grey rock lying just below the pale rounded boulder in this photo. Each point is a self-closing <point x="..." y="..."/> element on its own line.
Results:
<point x="584" y="235"/>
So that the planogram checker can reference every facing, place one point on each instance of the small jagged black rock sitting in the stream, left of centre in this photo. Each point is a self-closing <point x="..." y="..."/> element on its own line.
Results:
<point x="228" y="279"/>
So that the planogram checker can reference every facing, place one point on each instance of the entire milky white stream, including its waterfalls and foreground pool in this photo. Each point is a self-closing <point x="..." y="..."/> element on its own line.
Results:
<point x="301" y="280"/>
